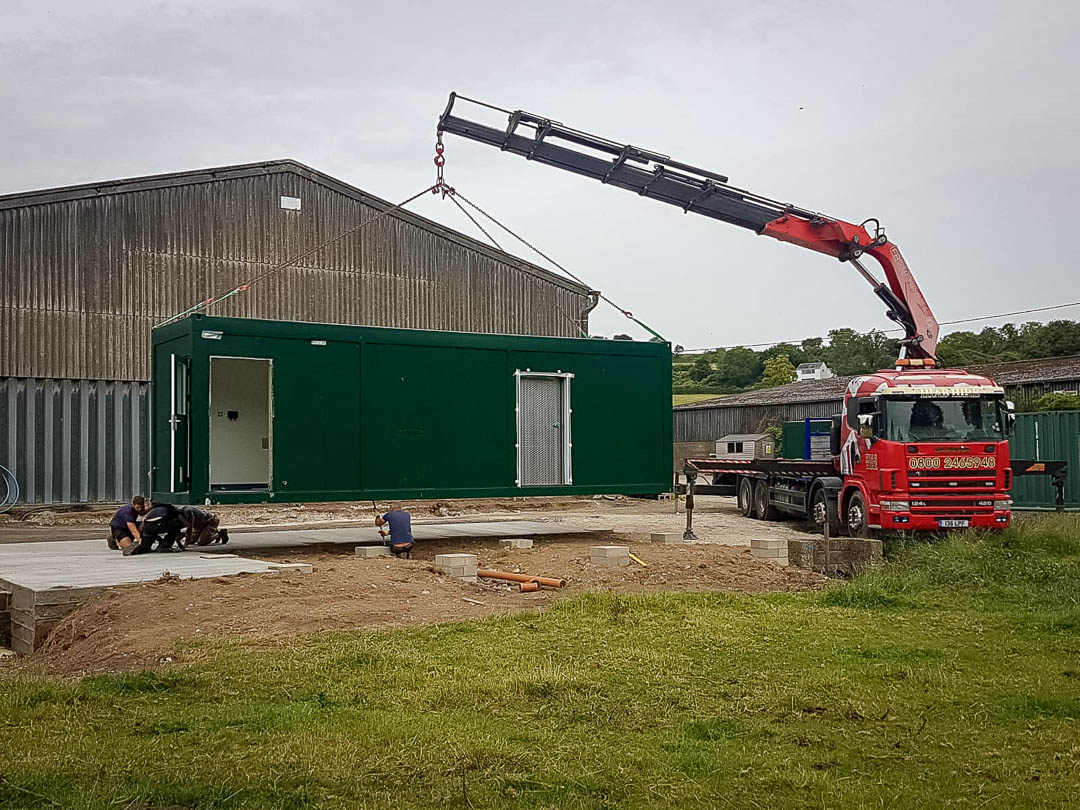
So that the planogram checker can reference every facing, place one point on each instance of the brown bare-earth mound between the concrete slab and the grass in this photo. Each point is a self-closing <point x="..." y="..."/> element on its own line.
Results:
<point x="137" y="626"/>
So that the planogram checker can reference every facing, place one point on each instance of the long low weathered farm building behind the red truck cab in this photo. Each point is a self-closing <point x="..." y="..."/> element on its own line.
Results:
<point x="752" y="412"/>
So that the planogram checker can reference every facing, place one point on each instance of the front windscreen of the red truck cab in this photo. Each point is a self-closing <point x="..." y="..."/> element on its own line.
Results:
<point x="944" y="420"/>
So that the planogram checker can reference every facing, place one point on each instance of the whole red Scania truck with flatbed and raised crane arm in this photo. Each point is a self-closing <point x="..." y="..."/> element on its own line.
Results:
<point x="917" y="448"/>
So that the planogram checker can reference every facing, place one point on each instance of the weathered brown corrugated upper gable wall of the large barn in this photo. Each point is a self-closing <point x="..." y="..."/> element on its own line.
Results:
<point x="84" y="280"/>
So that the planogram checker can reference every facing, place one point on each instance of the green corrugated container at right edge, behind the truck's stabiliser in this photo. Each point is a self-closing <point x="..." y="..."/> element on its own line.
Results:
<point x="1052" y="436"/>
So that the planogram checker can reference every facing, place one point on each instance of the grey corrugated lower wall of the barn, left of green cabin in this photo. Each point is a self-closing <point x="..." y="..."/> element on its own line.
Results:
<point x="75" y="441"/>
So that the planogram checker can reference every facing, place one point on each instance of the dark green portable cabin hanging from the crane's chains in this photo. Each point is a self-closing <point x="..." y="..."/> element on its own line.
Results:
<point x="253" y="411"/>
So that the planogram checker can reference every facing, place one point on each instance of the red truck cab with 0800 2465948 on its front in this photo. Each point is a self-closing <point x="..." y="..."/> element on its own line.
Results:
<point x="923" y="450"/>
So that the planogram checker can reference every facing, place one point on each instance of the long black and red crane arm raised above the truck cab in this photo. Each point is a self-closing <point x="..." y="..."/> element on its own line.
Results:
<point x="708" y="194"/>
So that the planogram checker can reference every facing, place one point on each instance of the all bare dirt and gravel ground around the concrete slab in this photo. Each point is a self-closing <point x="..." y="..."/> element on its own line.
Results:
<point x="138" y="626"/>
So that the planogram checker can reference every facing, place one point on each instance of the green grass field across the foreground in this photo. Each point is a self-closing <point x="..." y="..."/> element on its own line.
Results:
<point x="949" y="679"/>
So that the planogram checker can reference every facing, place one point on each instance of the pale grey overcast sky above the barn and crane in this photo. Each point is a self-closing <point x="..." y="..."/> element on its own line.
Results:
<point x="955" y="124"/>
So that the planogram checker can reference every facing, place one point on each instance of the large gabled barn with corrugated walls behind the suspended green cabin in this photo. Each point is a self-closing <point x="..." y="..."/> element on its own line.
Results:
<point x="87" y="272"/>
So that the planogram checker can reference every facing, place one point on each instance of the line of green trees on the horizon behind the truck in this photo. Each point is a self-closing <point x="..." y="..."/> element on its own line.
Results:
<point x="849" y="353"/>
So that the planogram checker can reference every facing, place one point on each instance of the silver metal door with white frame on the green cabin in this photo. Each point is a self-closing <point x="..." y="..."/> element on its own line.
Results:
<point x="543" y="431"/>
